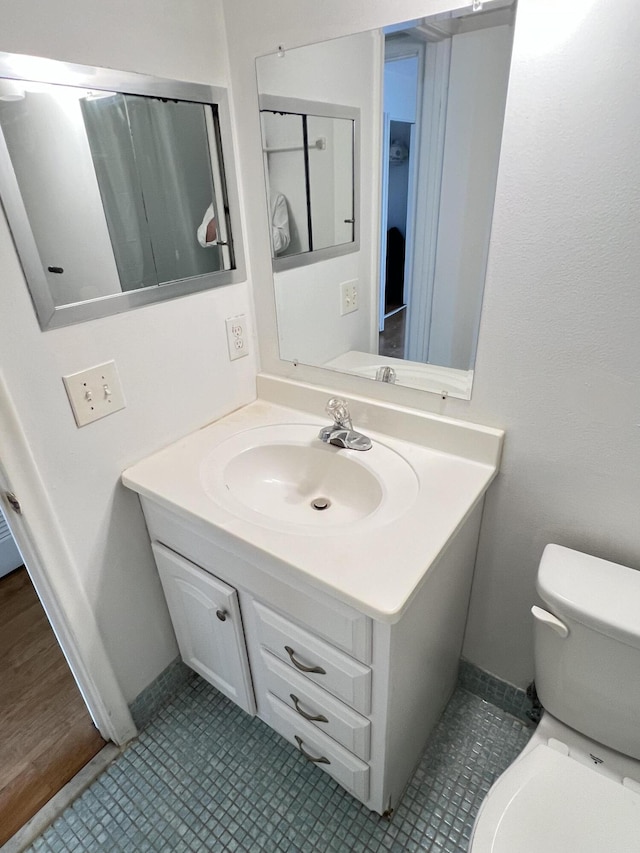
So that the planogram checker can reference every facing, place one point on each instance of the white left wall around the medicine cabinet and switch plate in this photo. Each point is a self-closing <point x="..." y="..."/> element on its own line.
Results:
<point x="172" y="357"/>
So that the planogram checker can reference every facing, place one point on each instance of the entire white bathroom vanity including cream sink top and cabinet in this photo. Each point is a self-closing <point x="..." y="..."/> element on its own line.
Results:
<point x="345" y="626"/>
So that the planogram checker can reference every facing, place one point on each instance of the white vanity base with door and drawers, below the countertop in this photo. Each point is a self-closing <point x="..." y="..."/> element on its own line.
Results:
<point x="356" y="696"/>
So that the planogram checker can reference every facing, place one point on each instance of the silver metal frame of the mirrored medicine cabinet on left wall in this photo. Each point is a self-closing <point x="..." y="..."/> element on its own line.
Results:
<point x="37" y="69"/>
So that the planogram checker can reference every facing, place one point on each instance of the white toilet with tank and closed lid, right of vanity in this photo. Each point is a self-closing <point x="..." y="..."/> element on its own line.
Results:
<point x="575" y="788"/>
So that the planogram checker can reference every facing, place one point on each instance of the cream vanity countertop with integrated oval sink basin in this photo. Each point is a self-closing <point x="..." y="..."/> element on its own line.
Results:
<point x="257" y="480"/>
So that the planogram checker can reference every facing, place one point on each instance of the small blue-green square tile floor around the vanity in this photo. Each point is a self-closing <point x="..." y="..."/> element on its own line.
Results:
<point x="206" y="777"/>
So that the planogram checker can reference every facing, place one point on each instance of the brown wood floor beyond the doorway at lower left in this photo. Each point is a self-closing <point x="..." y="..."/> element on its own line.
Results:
<point x="46" y="733"/>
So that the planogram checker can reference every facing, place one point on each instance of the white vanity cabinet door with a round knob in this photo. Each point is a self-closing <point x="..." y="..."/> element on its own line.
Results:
<point x="206" y="618"/>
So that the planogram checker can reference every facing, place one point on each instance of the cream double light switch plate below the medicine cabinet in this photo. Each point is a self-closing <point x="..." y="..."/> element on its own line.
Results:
<point x="94" y="393"/>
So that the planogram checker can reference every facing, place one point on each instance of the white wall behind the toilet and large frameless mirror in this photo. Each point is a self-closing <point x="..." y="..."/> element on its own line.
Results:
<point x="559" y="348"/>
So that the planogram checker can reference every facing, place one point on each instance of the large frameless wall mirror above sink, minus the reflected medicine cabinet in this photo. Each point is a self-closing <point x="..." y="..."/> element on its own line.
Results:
<point x="432" y="95"/>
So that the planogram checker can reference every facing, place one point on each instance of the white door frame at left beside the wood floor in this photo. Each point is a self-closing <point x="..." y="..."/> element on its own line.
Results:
<point x="51" y="569"/>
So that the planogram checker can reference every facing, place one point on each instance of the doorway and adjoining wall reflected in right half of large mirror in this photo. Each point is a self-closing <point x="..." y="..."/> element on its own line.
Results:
<point x="447" y="77"/>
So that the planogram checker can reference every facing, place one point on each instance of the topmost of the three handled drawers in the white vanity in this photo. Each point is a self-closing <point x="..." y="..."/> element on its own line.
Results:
<point x="323" y="664"/>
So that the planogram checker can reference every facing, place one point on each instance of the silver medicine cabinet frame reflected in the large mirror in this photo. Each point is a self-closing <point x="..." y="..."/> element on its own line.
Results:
<point x="300" y="106"/>
